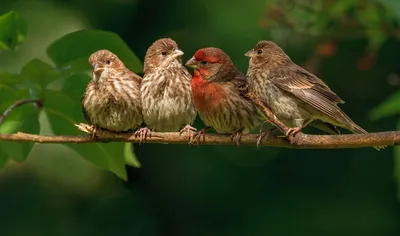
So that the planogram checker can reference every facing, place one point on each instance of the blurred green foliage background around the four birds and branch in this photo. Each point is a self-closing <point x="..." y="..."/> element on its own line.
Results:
<point x="353" y="45"/>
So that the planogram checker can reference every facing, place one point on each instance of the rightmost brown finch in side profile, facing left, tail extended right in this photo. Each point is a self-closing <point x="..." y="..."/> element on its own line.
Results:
<point x="294" y="95"/>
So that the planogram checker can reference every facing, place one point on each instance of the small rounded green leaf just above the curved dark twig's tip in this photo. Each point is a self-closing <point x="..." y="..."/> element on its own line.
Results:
<point x="37" y="72"/>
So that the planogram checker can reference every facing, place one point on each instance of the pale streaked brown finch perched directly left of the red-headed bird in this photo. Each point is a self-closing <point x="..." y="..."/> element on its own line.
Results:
<point x="165" y="91"/>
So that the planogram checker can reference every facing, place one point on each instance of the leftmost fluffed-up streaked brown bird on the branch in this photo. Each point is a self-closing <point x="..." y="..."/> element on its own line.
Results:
<point x="112" y="98"/>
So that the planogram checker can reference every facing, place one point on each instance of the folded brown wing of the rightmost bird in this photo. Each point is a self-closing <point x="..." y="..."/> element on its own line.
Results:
<point x="311" y="90"/>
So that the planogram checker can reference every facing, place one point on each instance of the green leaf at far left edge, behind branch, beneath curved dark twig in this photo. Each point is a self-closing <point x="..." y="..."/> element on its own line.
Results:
<point x="22" y="119"/>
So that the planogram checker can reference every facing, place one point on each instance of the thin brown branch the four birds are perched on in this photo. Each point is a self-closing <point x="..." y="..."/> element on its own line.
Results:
<point x="391" y="138"/>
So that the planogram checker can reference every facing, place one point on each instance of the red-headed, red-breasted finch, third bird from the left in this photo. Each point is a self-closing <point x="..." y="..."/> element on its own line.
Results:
<point x="219" y="92"/>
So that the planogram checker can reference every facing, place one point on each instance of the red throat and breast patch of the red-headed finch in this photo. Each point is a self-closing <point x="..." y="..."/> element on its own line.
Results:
<point x="207" y="96"/>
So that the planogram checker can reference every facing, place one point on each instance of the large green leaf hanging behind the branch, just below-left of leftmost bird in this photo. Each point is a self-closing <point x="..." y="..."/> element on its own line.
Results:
<point x="63" y="112"/>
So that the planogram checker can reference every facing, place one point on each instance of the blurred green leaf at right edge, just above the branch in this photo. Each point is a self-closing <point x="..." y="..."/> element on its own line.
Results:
<point x="389" y="107"/>
